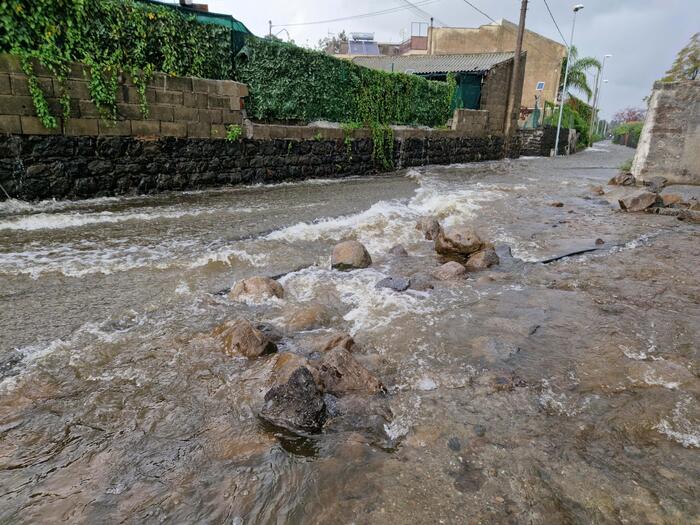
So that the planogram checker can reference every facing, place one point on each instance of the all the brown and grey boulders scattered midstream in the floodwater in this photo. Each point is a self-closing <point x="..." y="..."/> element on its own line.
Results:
<point x="325" y="385"/>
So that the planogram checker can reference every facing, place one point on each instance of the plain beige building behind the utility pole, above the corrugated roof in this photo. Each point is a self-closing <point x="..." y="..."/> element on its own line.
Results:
<point x="544" y="56"/>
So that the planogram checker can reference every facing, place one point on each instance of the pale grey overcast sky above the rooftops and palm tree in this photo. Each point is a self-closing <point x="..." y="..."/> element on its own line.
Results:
<point x="643" y="35"/>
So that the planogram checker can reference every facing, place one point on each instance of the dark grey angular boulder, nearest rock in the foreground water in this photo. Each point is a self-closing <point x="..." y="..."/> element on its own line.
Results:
<point x="296" y="405"/>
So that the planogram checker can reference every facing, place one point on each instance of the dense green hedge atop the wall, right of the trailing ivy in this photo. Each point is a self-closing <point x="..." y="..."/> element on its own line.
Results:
<point x="287" y="82"/>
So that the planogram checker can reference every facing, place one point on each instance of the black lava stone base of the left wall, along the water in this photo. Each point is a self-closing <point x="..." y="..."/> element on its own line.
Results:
<point x="63" y="167"/>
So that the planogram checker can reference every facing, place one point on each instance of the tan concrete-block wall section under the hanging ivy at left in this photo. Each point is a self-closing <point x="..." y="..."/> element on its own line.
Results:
<point x="178" y="106"/>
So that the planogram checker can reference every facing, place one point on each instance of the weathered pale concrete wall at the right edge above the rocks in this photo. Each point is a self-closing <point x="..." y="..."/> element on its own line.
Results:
<point x="670" y="142"/>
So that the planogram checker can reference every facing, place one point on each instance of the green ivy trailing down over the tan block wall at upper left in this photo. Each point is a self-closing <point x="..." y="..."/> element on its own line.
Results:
<point x="111" y="37"/>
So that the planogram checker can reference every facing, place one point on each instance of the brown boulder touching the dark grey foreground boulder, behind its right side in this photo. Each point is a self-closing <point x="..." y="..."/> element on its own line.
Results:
<point x="340" y="374"/>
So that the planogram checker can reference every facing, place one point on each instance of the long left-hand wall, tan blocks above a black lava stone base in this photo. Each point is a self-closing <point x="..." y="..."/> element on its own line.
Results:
<point x="183" y="142"/>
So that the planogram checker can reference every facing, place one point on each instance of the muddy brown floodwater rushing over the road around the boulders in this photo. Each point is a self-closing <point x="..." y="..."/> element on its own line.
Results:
<point x="532" y="393"/>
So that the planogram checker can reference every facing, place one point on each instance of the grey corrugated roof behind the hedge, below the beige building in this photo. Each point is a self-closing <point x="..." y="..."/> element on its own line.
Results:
<point x="425" y="64"/>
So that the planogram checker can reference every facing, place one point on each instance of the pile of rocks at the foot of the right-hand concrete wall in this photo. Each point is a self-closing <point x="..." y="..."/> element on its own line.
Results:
<point x="650" y="199"/>
